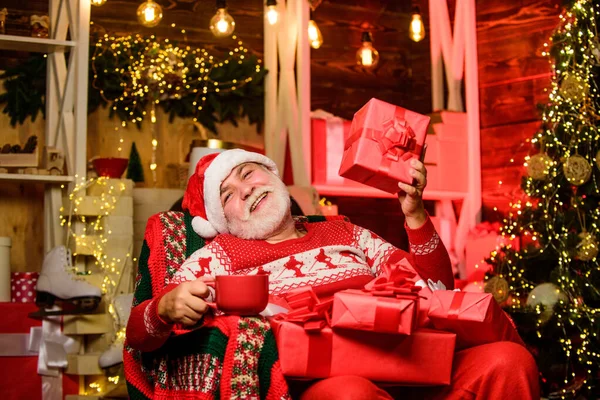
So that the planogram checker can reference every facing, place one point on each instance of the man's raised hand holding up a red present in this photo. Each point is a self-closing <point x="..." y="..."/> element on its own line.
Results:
<point x="410" y="196"/>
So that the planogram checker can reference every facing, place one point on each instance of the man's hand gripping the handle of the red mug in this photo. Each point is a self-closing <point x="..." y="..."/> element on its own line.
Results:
<point x="184" y="304"/>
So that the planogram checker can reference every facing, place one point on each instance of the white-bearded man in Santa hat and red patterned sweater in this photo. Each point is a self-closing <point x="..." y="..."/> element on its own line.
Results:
<point x="239" y="202"/>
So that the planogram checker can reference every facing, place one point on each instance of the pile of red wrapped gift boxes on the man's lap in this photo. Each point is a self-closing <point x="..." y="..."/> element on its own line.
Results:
<point x="391" y="331"/>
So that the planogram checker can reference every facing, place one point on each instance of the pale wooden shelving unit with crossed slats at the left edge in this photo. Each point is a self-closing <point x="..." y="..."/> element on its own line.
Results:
<point x="66" y="112"/>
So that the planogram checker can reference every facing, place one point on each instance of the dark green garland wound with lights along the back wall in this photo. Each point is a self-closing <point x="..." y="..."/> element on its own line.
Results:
<point x="130" y="73"/>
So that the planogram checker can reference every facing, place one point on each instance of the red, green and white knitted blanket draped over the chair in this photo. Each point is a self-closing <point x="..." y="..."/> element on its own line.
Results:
<point x="229" y="357"/>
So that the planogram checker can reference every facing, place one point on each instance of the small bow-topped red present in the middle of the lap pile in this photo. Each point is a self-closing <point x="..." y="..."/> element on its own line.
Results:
<point x="388" y="304"/>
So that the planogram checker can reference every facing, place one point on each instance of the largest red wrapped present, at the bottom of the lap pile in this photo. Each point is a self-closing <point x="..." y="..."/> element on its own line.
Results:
<point x="309" y="348"/>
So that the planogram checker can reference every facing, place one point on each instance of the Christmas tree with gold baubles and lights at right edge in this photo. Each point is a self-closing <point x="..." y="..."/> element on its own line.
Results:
<point x="549" y="278"/>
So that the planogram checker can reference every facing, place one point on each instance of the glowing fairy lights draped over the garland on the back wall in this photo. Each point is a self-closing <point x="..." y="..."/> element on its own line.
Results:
<point x="160" y="70"/>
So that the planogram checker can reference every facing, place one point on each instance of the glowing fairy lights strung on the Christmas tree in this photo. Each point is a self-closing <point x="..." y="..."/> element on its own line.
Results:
<point x="556" y="217"/>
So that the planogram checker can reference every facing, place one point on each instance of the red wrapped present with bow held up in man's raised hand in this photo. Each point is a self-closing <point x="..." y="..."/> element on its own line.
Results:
<point x="383" y="139"/>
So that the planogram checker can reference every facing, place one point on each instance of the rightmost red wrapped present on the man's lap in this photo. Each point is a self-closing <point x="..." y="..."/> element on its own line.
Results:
<point x="476" y="318"/>
